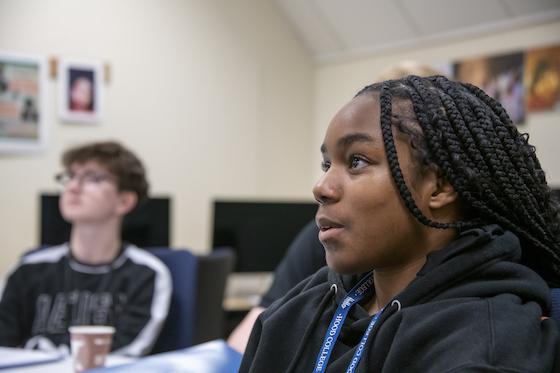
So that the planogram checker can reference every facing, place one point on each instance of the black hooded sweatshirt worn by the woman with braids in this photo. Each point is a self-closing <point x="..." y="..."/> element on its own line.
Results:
<point x="472" y="307"/>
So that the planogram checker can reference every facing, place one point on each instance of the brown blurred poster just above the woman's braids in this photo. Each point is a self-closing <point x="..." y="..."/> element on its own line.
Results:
<point x="500" y="77"/>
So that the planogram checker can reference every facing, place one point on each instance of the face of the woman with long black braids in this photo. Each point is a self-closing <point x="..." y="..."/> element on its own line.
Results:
<point x="363" y="222"/>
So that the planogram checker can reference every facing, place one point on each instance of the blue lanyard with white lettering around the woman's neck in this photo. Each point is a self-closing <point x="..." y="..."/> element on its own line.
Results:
<point x="355" y="295"/>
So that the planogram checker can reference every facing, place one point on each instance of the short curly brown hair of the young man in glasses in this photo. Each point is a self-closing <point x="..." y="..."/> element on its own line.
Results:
<point x="119" y="161"/>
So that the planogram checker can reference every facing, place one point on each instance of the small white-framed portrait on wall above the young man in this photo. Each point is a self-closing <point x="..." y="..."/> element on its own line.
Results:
<point x="80" y="95"/>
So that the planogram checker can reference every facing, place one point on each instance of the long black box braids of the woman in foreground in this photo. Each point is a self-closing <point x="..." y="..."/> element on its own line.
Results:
<point x="468" y="138"/>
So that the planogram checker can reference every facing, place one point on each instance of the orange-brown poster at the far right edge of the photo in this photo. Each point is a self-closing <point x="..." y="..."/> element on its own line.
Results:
<point x="542" y="79"/>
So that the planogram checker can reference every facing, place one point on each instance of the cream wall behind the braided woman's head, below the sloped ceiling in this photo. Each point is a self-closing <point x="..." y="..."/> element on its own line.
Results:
<point x="336" y="84"/>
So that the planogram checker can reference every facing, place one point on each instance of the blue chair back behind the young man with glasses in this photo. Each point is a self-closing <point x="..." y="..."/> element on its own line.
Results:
<point x="178" y="329"/>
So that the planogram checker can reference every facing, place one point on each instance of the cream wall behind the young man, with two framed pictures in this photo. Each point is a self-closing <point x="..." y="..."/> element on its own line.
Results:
<point x="215" y="96"/>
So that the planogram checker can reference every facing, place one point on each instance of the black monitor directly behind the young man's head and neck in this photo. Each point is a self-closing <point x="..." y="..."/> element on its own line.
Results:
<point x="147" y="225"/>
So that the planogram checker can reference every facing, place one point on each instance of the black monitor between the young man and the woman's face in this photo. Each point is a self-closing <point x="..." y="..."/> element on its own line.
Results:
<point x="259" y="232"/>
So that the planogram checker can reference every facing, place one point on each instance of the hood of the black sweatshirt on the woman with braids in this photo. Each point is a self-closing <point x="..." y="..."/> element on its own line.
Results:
<point x="480" y="262"/>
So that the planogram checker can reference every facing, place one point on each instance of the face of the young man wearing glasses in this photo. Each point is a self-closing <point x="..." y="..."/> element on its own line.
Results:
<point x="90" y="195"/>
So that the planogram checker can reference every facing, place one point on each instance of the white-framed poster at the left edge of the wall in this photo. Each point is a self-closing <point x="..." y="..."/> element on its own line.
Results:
<point x="23" y="83"/>
